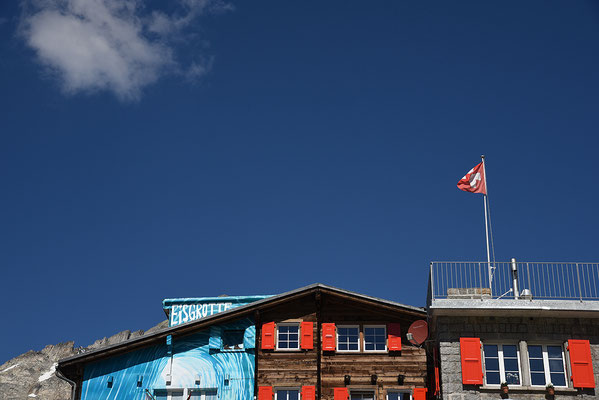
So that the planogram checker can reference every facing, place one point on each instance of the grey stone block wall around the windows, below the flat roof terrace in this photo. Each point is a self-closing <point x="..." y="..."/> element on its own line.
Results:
<point x="448" y="331"/>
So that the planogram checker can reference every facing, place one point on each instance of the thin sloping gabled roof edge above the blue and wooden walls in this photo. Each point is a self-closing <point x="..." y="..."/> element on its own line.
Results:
<point x="238" y="312"/>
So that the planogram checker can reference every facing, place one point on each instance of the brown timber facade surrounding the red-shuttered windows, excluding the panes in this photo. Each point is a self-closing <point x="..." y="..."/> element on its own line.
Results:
<point x="328" y="371"/>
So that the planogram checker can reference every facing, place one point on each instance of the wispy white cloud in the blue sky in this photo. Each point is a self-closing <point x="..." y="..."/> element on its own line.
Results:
<point x="115" y="45"/>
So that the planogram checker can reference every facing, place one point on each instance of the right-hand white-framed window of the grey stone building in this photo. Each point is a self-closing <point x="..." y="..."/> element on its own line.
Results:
<point x="547" y="365"/>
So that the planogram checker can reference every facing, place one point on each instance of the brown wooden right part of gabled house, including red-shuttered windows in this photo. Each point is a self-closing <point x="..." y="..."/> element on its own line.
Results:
<point x="330" y="344"/>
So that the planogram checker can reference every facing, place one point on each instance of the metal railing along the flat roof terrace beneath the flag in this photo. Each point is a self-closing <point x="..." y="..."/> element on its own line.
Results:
<point x="514" y="280"/>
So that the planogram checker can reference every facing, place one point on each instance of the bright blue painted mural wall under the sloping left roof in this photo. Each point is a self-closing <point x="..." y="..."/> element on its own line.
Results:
<point x="216" y="363"/>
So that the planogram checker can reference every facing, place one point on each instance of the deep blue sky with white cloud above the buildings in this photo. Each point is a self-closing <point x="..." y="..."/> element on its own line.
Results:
<point x="257" y="147"/>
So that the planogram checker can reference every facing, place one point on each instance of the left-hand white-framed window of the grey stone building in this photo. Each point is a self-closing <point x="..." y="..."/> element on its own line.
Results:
<point x="502" y="364"/>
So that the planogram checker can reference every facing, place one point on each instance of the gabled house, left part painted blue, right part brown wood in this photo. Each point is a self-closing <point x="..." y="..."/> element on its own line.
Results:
<point x="316" y="342"/>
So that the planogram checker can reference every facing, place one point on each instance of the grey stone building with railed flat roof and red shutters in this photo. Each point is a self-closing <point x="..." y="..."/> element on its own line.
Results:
<point x="531" y="326"/>
